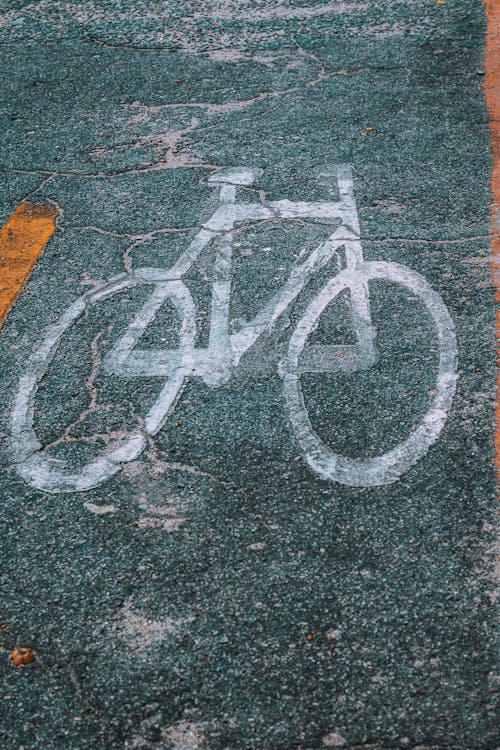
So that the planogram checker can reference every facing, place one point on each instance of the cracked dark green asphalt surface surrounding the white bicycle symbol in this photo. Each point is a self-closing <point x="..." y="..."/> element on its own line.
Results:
<point x="233" y="599"/>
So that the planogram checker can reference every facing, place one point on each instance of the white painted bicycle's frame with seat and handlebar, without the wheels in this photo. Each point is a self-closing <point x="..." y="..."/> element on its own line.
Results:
<point x="215" y="363"/>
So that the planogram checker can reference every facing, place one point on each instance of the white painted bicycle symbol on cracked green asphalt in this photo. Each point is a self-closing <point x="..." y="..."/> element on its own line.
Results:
<point x="216" y="363"/>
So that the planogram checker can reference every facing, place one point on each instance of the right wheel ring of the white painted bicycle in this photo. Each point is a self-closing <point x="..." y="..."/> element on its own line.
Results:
<point x="388" y="466"/>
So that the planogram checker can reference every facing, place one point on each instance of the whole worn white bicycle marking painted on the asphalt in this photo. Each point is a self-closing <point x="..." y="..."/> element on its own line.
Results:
<point x="39" y="469"/>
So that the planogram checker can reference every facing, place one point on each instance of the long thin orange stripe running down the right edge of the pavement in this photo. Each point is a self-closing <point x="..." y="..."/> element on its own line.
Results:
<point x="492" y="92"/>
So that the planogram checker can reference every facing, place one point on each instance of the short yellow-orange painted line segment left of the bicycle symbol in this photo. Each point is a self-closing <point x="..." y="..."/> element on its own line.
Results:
<point x="22" y="241"/>
